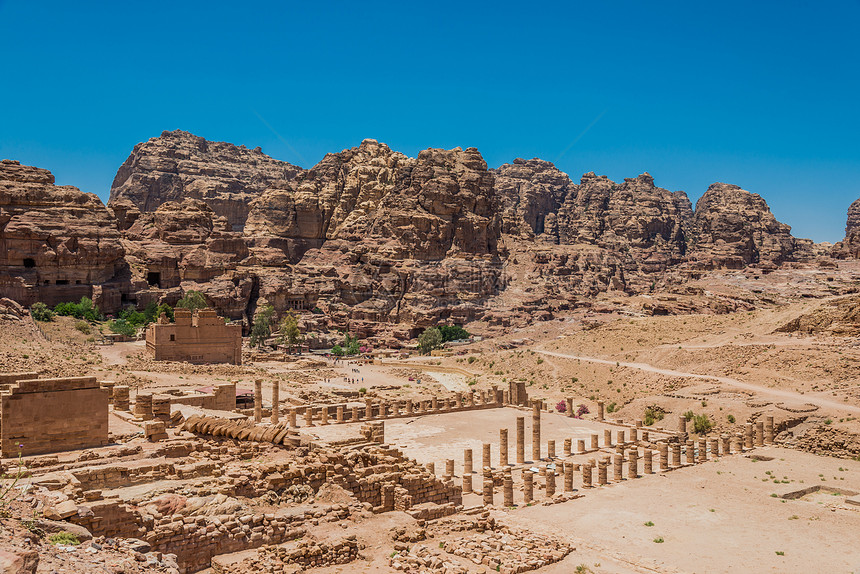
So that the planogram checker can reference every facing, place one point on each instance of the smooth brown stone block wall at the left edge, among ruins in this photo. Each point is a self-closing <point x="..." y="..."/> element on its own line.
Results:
<point x="52" y="415"/>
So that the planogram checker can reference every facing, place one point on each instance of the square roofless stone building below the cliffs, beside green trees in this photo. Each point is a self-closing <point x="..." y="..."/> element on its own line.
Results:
<point x="200" y="338"/>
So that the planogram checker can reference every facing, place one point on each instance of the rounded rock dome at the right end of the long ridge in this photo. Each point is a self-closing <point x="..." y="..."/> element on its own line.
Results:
<point x="734" y="228"/>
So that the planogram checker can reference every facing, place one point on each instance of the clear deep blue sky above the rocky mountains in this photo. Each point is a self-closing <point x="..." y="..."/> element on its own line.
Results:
<point x="761" y="94"/>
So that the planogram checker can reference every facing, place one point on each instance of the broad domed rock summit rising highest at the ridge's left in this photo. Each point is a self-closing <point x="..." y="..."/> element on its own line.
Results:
<point x="179" y="165"/>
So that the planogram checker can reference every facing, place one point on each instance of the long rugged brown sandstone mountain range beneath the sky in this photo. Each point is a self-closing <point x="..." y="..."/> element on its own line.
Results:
<point x="374" y="241"/>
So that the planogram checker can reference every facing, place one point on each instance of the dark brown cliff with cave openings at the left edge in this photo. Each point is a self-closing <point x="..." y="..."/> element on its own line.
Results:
<point x="57" y="243"/>
